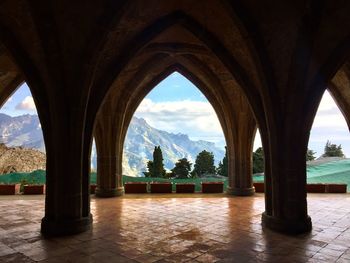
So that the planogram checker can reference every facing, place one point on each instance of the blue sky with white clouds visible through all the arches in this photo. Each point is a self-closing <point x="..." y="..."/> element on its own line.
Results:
<point x="176" y="105"/>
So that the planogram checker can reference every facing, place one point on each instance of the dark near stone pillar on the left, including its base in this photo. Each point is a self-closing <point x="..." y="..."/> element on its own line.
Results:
<point x="64" y="210"/>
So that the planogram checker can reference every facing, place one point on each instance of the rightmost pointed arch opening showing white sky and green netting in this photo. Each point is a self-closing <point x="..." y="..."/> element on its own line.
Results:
<point x="329" y="144"/>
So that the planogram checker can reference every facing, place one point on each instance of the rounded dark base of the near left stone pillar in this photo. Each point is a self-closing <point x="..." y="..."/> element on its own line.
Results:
<point x="65" y="227"/>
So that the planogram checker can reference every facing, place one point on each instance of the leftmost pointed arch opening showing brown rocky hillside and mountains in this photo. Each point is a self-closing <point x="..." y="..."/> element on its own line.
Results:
<point x="22" y="158"/>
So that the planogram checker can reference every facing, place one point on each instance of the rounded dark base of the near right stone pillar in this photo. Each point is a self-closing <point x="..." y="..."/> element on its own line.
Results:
<point x="286" y="226"/>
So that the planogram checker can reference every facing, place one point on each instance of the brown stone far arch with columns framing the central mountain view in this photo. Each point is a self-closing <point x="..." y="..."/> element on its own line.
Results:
<point x="116" y="113"/>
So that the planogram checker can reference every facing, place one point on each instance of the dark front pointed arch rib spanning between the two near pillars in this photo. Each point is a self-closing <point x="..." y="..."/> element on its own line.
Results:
<point x="206" y="37"/>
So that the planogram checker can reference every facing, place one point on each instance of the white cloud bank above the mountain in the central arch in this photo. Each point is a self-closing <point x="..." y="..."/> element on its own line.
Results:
<point x="195" y="118"/>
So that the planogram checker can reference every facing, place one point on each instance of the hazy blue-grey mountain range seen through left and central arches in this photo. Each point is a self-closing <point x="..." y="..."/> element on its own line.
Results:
<point x="25" y="131"/>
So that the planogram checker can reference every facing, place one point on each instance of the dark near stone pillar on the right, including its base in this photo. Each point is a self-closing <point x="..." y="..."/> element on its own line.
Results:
<point x="285" y="181"/>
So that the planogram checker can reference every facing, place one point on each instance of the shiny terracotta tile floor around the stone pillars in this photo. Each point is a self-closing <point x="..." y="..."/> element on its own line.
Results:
<point x="196" y="228"/>
